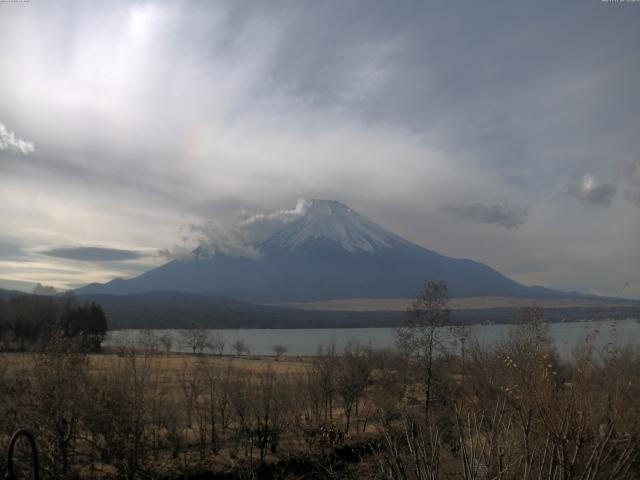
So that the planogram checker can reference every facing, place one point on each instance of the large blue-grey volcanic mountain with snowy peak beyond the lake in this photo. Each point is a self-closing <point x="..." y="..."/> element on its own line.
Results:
<point x="328" y="251"/>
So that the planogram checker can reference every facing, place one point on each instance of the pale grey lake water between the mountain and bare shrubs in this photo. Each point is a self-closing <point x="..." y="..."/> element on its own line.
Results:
<point x="306" y="341"/>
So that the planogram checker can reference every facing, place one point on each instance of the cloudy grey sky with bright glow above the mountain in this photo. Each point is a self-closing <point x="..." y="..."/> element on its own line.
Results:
<point x="506" y="132"/>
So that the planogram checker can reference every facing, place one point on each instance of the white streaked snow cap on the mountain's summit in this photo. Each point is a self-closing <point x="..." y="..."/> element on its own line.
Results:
<point x="329" y="221"/>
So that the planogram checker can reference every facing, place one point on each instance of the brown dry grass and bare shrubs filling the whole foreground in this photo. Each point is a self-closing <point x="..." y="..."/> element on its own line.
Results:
<point x="511" y="411"/>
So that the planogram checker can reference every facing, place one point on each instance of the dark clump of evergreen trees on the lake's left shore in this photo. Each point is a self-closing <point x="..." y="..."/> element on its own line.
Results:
<point x="27" y="322"/>
